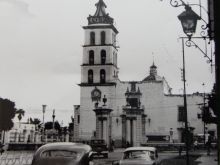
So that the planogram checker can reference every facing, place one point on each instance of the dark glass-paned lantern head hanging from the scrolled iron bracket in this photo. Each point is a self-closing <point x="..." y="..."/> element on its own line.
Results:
<point x="189" y="20"/>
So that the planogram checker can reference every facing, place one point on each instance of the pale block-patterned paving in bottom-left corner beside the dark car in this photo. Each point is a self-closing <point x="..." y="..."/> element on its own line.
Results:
<point x="16" y="158"/>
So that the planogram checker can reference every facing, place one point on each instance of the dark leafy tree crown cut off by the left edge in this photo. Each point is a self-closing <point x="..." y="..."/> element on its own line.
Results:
<point x="7" y="113"/>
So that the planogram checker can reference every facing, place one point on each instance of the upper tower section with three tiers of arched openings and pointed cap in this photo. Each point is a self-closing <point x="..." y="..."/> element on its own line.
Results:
<point x="99" y="49"/>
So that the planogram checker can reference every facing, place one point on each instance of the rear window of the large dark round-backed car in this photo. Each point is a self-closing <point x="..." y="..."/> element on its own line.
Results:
<point x="61" y="153"/>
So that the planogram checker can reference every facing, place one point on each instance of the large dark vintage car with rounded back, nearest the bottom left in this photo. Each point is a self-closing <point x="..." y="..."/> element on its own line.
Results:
<point x="63" y="154"/>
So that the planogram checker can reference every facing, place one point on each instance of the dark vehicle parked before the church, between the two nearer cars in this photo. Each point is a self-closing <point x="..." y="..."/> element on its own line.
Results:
<point x="99" y="147"/>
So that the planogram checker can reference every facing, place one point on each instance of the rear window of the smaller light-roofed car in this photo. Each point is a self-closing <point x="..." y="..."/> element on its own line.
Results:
<point x="147" y="155"/>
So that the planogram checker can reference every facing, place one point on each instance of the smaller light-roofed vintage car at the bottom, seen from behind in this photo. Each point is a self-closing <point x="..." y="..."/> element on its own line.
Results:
<point x="139" y="156"/>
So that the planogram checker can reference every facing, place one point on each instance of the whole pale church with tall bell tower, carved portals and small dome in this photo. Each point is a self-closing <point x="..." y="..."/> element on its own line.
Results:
<point x="133" y="112"/>
